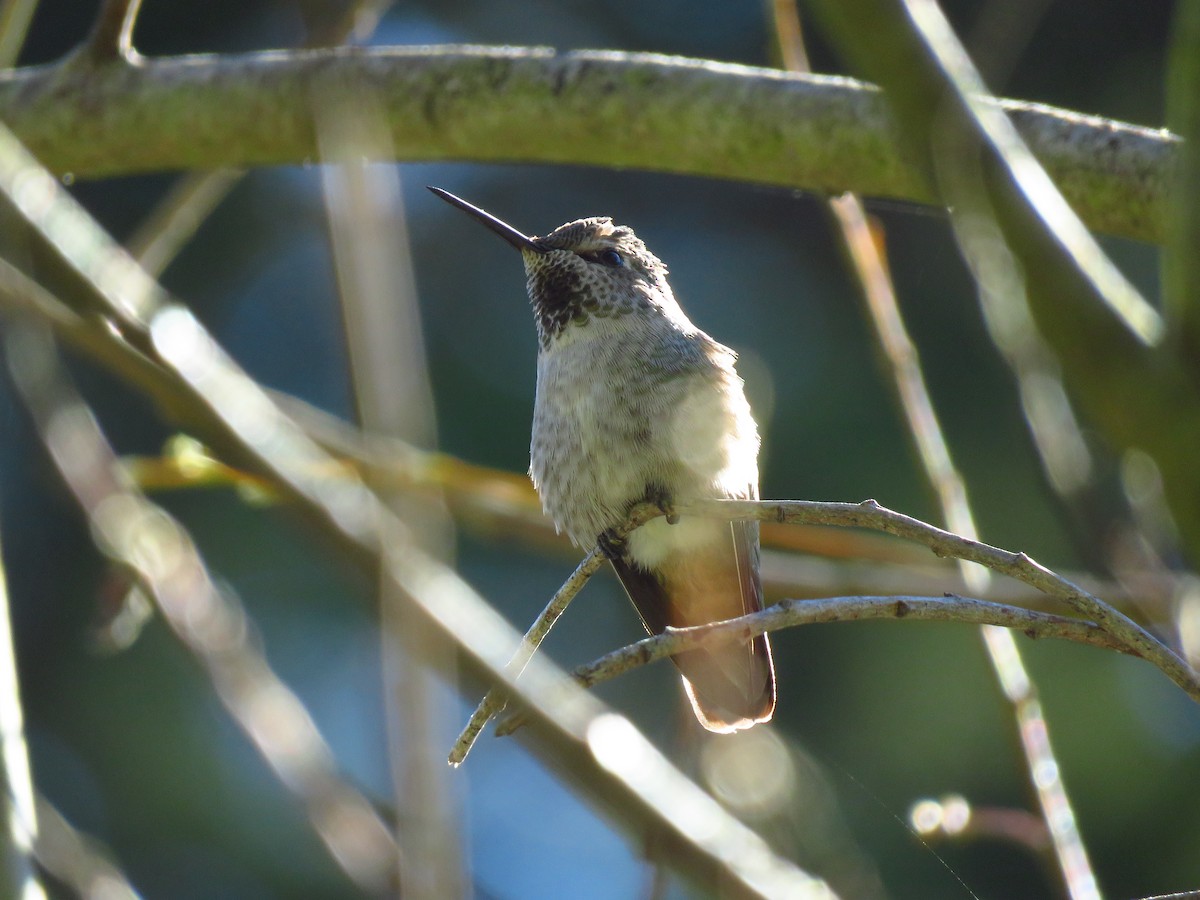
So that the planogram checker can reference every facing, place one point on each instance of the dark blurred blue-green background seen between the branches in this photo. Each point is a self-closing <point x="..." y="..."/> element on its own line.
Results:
<point x="133" y="746"/>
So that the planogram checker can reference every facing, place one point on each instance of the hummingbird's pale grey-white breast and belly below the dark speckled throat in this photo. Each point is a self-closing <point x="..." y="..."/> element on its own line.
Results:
<point x="638" y="405"/>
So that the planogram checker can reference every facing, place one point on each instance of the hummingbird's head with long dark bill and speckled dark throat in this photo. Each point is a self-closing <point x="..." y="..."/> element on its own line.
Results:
<point x="585" y="271"/>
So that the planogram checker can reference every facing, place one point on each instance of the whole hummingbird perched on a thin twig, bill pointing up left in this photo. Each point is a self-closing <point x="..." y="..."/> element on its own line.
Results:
<point x="634" y="404"/>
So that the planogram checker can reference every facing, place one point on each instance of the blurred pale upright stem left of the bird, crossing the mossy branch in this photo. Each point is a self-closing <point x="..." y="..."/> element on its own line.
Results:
<point x="394" y="399"/>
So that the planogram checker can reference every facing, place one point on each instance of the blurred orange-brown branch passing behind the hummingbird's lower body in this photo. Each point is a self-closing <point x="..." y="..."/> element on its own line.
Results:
<point x="502" y="506"/>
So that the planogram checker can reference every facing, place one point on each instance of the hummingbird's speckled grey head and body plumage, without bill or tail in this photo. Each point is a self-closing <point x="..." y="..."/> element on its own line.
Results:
<point x="632" y="397"/>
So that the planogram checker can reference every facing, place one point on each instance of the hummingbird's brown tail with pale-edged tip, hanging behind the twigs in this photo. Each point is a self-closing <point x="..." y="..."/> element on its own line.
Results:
<point x="731" y="687"/>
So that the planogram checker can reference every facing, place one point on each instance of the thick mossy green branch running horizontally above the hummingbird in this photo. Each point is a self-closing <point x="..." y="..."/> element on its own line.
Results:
<point x="532" y="105"/>
